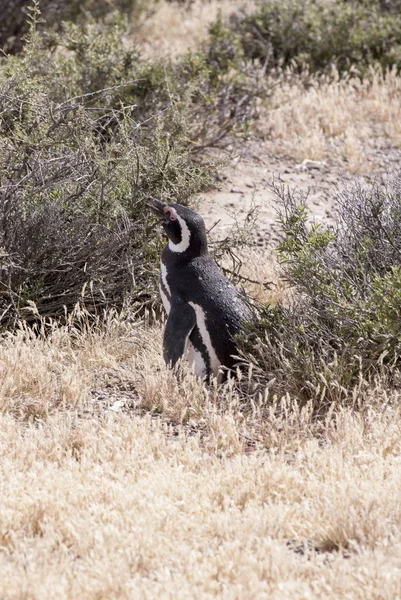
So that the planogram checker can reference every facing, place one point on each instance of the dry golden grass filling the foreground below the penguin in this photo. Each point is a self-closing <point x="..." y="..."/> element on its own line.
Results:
<point x="120" y="481"/>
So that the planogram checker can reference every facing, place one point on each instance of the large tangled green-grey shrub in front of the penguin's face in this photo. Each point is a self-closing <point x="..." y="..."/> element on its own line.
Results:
<point x="88" y="130"/>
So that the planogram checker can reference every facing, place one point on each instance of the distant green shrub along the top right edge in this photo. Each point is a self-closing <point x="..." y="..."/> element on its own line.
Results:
<point x="314" y="34"/>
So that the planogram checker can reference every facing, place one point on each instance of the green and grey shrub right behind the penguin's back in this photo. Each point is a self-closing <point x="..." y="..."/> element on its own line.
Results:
<point x="344" y="316"/>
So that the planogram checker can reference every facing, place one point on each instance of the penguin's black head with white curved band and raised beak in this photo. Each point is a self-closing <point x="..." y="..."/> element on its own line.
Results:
<point x="184" y="227"/>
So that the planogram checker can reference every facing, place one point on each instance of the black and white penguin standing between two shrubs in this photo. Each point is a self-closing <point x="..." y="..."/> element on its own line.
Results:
<point x="205" y="311"/>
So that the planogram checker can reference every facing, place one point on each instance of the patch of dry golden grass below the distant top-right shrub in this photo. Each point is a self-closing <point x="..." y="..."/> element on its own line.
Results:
<point x="334" y="118"/>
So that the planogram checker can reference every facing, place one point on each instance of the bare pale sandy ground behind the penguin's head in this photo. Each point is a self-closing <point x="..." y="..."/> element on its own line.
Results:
<point x="247" y="179"/>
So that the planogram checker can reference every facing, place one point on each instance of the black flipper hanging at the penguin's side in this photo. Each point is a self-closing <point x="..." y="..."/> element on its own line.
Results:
<point x="180" y="323"/>
